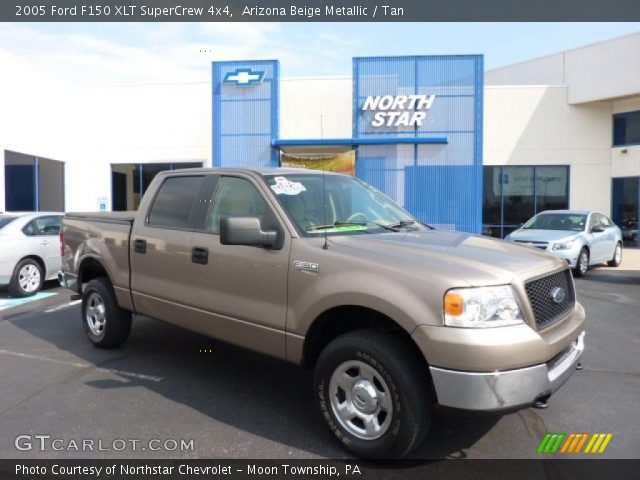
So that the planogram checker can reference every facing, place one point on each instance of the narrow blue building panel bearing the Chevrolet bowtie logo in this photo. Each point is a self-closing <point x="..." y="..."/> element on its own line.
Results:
<point x="245" y="113"/>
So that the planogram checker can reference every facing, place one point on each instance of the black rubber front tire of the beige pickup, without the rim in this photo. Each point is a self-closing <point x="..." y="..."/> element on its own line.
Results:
<point x="405" y="374"/>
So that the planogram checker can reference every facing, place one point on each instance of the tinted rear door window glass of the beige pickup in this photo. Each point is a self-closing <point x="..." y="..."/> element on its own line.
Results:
<point x="174" y="201"/>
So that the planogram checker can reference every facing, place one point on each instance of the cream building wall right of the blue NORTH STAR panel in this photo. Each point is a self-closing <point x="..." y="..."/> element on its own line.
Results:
<point x="534" y="125"/>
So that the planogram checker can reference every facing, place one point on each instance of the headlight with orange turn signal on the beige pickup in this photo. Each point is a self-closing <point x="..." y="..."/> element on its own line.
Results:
<point x="481" y="307"/>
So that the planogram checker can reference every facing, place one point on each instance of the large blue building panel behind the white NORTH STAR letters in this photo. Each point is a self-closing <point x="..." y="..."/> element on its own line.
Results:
<point x="440" y="184"/>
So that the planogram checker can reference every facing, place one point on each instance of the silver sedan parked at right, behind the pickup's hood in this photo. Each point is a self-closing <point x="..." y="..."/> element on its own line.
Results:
<point x="582" y="238"/>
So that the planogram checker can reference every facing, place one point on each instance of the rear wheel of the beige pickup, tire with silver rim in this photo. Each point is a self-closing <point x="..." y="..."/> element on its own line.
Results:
<point x="115" y="321"/>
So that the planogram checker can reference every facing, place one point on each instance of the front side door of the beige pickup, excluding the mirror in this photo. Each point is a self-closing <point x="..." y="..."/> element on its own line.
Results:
<point x="242" y="290"/>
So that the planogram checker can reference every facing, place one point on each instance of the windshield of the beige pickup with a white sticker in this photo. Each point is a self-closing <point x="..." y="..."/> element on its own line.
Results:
<point x="351" y="206"/>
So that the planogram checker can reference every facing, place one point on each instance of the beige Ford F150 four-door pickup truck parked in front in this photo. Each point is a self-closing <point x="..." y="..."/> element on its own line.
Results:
<point x="323" y="270"/>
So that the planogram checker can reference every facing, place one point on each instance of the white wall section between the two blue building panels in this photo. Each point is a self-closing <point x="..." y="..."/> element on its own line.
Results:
<point x="316" y="108"/>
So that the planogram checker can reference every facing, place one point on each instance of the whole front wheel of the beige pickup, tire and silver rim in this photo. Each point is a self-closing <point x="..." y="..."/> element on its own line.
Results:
<point x="397" y="369"/>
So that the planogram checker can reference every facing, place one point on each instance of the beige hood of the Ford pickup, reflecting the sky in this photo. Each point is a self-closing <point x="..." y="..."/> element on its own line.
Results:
<point x="467" y="259"/>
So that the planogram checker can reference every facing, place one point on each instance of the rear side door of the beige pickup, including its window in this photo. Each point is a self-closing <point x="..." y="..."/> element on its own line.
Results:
<point x="160" y="249"/>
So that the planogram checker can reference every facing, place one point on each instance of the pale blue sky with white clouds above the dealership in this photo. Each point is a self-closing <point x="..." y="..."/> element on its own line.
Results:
<point x="114" y="53"/>
